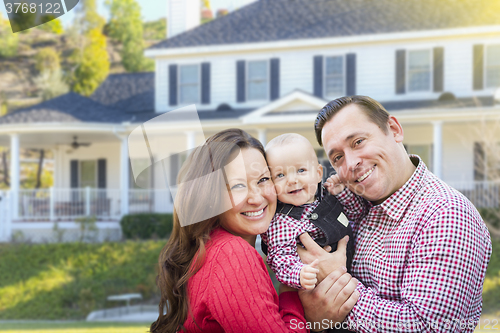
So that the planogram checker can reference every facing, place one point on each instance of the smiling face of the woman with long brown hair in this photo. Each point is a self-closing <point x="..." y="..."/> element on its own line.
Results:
<point x="253" y="195"/>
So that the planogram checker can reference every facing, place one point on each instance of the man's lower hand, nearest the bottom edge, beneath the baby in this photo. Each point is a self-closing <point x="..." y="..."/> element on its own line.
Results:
<point x="332" y="299"/>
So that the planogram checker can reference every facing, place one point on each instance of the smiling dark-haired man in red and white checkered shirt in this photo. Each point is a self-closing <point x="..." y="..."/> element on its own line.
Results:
<point x="421" y="248"/>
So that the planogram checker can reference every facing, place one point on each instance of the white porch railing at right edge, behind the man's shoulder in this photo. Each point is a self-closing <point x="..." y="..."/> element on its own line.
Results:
<point x="483" y="194"/>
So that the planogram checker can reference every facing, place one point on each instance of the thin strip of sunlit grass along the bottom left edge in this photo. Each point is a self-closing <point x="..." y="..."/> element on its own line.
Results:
<point x="73" y="327"/>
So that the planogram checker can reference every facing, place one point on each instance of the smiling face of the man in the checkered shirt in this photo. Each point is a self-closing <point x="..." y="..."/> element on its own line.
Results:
<point x="368" y="161"/>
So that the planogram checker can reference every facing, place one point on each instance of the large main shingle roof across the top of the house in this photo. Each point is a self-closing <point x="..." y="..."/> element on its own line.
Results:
<point x="273" y="20"/>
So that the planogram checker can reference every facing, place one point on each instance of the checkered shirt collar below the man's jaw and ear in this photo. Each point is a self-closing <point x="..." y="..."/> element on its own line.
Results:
<point x="396" y="204"/>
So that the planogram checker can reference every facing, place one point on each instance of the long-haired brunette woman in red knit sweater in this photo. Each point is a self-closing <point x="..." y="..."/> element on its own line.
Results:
<point x="211" y="277"/>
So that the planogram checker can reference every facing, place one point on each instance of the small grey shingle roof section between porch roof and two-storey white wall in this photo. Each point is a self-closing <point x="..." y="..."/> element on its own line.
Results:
<point x="130" y="92"/>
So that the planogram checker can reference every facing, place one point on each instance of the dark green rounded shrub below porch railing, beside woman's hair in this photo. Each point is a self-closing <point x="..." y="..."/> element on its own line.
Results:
<point x="146" y="225"/>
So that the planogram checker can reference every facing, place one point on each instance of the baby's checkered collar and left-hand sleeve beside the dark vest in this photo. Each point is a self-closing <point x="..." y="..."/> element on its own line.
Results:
<point x="282" y="238"/>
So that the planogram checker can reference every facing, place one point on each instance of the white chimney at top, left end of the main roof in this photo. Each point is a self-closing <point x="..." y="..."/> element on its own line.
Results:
<point x="182" y="16"/>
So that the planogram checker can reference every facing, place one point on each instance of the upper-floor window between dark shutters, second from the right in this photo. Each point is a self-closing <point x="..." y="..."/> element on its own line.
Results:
<point x="419" y="70"/>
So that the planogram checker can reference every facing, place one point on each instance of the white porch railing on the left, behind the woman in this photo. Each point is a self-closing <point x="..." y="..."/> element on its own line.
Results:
<point x="67" y="204"/>
